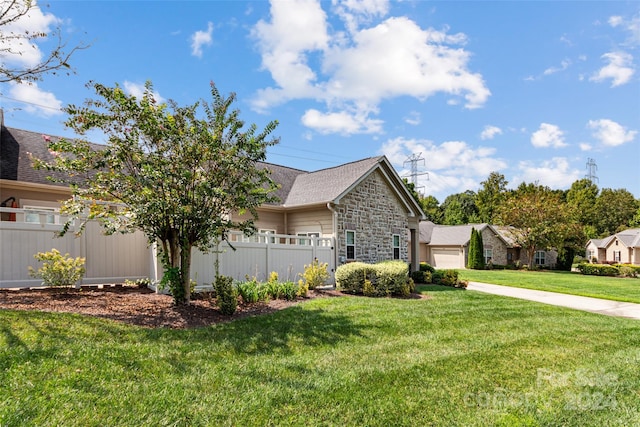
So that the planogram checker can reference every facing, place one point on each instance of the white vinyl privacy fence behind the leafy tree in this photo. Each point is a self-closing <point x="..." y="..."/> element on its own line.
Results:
<point x="115" y="258"/>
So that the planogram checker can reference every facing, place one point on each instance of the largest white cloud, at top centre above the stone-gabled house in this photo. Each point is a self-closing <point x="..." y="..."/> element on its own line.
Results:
<point x="363" y="66"/>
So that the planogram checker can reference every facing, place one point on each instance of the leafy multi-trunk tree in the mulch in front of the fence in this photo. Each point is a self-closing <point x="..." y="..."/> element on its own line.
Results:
<point x="165" y="171"/>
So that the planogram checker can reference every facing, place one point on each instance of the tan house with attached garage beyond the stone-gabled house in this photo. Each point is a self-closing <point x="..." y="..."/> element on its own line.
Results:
<point x="447" y="246"/>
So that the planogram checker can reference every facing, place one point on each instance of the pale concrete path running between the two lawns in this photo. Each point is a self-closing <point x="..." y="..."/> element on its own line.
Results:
<point x="594" y="305"/>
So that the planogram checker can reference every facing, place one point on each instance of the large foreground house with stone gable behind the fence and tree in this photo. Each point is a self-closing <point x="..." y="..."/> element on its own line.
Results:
<point x="363" y="205"/>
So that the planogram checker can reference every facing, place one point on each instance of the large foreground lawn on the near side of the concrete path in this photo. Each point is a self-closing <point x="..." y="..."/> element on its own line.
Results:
<point x="458" y="358"/>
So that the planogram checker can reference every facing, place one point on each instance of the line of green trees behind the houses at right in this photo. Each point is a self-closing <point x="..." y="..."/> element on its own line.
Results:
<point x="543" y="218"/>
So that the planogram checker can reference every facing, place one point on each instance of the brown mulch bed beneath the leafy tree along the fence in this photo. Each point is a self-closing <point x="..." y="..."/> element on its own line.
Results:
<point x="137" y="306"/>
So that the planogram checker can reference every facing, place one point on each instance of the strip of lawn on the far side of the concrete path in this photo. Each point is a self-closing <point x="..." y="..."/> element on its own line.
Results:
<point x="611" y="288"/>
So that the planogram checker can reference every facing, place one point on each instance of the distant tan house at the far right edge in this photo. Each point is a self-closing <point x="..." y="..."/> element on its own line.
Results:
<point x="622" y="247"/>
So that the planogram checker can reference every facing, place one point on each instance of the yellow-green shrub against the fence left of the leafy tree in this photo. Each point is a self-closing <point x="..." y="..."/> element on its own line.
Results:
<point x="58" y="270"/>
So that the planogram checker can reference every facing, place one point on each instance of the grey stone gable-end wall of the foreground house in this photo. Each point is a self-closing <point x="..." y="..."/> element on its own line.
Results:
<point x="374" y="212"/>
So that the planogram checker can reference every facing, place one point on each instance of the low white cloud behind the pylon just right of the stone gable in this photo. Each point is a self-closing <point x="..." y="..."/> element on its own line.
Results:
<point x="453" y="166"/>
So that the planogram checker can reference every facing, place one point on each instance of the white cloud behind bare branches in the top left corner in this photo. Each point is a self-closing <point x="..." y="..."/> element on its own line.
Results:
<point x="20" y="51"/>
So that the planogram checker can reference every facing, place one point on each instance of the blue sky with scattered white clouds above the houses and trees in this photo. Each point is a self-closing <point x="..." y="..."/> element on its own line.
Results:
<point x="528" y="89"/>
